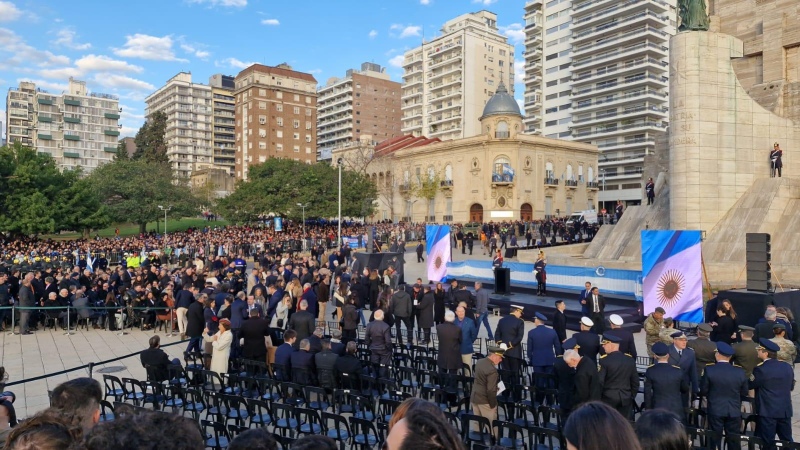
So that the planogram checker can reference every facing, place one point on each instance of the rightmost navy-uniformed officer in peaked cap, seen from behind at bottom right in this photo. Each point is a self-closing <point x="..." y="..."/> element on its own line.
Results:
<point x="773" y="381"/>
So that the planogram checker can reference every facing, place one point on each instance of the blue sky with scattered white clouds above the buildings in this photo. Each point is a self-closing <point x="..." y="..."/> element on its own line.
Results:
<point x="132" y="48"/>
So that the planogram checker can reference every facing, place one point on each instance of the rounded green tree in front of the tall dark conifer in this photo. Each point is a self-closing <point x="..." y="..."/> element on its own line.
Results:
<point x="132" y="190"/>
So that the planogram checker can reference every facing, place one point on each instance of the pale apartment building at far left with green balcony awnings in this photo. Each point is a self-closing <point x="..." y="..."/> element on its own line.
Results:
<point x="77" y="128"/>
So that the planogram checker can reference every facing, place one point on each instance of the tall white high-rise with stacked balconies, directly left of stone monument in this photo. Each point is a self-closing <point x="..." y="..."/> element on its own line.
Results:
<point x="604" y="81"/>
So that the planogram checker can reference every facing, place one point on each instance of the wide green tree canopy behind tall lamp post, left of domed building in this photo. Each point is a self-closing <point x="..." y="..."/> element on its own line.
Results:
<point x="277" y="185"/>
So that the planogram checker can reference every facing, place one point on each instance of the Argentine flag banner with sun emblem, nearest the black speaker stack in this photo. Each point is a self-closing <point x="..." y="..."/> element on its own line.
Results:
<point x="673" y="273"/>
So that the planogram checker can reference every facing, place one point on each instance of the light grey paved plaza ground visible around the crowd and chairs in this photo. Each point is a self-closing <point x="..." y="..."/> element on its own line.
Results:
<point x="52" y="351"/>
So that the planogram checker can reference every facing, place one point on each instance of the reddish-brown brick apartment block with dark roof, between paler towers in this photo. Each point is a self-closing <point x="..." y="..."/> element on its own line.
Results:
<point x="276" y="116"/>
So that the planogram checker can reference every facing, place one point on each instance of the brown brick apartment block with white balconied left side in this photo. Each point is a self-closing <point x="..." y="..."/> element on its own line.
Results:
<point x="364" y="102"/>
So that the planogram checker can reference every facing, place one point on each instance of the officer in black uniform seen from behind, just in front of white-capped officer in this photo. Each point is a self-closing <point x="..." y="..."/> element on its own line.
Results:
<point x="618" y="380"/>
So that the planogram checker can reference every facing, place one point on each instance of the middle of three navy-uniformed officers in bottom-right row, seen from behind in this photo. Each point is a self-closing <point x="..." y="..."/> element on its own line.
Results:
<point x="724" y="385"/>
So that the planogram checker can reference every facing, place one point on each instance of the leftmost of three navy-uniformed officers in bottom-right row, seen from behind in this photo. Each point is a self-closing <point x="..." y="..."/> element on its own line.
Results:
<point x="664" y="384"/>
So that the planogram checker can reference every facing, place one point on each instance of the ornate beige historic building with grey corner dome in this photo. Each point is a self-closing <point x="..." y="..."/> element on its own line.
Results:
<point x="495" y="175"/>
